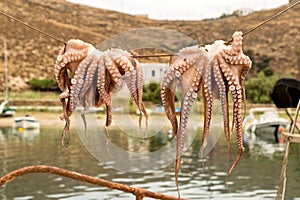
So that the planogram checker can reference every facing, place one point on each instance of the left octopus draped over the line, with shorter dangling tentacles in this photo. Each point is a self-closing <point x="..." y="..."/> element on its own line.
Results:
<point x="88" y="77"/>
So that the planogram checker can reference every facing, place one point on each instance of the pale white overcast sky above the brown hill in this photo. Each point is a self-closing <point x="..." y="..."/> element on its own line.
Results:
<point x="181" y="9"/>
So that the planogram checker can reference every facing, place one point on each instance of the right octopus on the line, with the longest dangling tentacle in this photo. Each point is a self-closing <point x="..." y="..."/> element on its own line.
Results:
<point x="214" y="71"/>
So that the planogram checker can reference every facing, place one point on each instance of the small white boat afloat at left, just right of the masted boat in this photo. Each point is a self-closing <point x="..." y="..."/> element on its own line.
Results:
<point x="26" y="122"/>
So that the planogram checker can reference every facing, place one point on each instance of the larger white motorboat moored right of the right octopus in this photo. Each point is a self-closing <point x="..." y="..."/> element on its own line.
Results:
<point x="264" y="123"/>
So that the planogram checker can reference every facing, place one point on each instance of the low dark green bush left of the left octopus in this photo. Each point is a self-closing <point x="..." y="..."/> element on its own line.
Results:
<point x="45" y="84"/>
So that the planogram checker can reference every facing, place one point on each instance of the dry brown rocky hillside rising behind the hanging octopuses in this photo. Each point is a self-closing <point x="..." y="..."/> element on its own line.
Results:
<point x="32" y="55"/>
